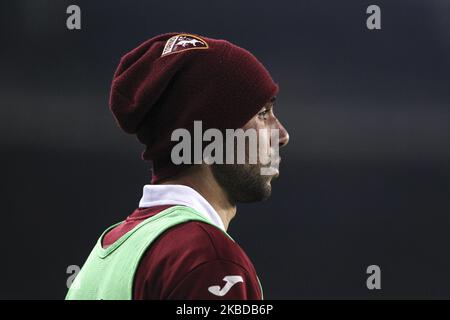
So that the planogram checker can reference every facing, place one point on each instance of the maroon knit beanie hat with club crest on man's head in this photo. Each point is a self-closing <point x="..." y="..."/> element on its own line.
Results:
<point x="174" y="79"/>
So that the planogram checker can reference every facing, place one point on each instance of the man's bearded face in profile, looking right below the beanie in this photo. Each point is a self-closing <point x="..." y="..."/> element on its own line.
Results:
<point x="245" y="182"/>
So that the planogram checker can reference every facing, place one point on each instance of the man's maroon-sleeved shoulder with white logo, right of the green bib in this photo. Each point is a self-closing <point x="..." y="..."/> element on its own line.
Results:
<point x="189" y="259"/>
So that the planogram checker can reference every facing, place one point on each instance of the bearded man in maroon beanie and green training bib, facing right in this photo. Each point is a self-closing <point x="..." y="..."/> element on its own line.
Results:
<point x="175" y="245"/>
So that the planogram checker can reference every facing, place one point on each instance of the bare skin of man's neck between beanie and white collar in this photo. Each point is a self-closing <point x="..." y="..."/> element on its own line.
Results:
<point x="201" y="179"/>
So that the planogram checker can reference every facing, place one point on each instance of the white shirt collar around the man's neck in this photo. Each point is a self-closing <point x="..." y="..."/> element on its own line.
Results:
<point x="175" y="194"/>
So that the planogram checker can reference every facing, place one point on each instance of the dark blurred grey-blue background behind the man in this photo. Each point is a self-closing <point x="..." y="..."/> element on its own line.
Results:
<point x="364" y="180"/>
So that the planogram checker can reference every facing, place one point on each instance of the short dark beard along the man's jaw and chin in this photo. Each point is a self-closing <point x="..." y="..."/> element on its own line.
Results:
<point x="243" y="182"/>
